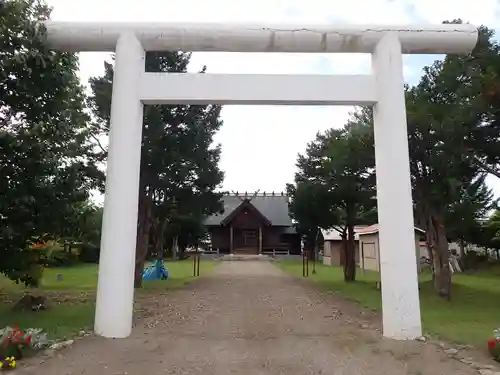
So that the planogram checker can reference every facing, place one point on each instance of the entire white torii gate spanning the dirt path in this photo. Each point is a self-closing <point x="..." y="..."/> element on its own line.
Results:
<point x="133" y="87"/>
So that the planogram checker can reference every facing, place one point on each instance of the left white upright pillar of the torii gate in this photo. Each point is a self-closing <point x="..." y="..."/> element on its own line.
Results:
<point x="115" y="290"/>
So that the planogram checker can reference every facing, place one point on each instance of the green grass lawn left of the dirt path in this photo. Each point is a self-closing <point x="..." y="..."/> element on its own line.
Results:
<point x="72" y="300"/>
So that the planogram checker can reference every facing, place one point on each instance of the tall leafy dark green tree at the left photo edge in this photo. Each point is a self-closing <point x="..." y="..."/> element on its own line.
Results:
<point x="46" y="158"/>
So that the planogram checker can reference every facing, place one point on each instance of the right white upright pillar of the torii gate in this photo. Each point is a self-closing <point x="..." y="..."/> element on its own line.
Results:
<point x="398" y="263"/>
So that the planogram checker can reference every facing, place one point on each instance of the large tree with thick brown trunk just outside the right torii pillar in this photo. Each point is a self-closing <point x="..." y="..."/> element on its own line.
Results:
<point x="450" y="129"/>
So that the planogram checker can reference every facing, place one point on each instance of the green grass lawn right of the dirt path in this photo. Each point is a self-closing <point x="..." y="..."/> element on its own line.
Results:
<point x="469" y="318"/>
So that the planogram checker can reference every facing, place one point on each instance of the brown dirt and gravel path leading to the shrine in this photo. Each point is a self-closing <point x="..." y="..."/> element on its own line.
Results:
<point x="249" y="318"/>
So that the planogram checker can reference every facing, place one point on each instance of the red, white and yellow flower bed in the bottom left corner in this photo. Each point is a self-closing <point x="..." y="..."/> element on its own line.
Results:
<point x="16" y="344"/>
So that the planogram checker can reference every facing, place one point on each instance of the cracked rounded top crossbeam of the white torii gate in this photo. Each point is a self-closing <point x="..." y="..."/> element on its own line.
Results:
<point x="195" y="37"/>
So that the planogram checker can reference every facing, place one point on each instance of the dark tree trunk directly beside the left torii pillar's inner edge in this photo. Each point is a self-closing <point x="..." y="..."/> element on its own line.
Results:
<point x="142" y="241"/>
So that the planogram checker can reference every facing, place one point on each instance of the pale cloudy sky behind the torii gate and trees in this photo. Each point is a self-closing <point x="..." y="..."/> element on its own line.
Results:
<point x="260" y="144"/>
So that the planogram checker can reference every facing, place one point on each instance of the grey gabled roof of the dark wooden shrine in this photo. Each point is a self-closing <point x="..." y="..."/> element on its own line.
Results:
<point x="273" y="207"/>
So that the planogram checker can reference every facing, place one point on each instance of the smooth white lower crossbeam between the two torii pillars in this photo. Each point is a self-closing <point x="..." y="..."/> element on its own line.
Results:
<point x="264" y="89"/>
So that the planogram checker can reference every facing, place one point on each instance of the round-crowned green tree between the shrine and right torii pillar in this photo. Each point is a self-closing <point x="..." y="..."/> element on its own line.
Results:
<point x="340" y="165"/>
